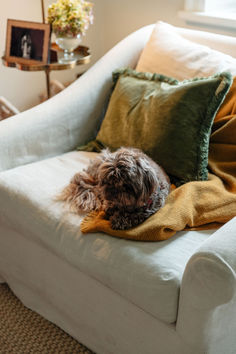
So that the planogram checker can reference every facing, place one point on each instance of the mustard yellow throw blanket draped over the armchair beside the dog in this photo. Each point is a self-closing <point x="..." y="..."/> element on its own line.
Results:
<point x="194" y="205"/>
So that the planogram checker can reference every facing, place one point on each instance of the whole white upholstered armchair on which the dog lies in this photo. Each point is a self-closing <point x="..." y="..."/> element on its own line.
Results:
<point x="113" y="295"/>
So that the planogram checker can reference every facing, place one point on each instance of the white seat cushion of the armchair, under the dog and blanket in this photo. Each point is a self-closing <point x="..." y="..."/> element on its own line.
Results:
<point x="147" y="274"/>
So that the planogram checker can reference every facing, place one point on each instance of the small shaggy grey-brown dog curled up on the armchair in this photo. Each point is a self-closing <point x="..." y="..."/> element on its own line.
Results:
<point x="127" y="185"/>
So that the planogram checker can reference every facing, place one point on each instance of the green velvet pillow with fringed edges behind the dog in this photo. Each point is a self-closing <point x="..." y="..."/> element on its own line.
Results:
<point x="169" y="120"/>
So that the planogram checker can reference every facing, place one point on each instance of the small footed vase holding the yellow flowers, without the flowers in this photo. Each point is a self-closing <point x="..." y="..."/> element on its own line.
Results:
<point x="68" y="44"/>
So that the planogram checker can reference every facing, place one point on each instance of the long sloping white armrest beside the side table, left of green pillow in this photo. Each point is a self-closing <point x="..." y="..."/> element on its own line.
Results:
<point x="70" y="118"/>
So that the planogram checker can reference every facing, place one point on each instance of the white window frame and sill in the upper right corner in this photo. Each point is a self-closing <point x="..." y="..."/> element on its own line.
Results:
<point x="199" y="12"/>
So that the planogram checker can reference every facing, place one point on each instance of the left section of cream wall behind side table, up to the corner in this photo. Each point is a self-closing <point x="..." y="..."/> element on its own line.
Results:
<point x="23" y="88"/>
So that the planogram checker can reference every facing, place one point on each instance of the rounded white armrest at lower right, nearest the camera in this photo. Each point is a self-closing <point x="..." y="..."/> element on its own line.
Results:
<point x="207" y="305"/>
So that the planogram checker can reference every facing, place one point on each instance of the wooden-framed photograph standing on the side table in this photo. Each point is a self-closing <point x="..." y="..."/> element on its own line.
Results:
<point x="27" y="42"/>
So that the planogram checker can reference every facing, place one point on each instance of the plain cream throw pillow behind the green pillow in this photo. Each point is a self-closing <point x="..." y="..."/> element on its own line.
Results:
<point x="168" y="53"/>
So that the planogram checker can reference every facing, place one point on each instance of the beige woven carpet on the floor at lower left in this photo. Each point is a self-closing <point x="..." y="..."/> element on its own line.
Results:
<point x="23" y="331"/>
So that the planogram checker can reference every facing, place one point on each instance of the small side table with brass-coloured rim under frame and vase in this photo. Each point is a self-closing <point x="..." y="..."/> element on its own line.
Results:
<point x="81" y="56"/>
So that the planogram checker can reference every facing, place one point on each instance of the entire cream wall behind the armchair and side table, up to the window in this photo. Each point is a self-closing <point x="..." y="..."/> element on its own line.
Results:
<point x="114" y="19"/>
